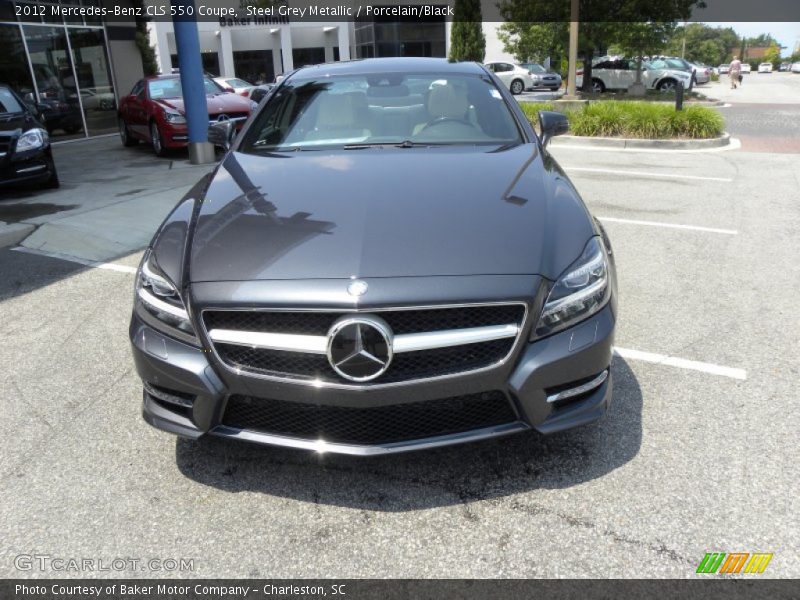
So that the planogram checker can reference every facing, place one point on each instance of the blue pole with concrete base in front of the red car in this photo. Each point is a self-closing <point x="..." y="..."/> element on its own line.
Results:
<point x="191" y="74"/>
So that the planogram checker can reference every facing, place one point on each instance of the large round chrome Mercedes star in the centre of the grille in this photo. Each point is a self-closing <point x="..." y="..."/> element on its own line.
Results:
<point x="360" y="348"/>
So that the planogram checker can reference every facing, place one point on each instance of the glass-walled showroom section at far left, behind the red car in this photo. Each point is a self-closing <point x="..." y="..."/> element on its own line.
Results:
<point x="75" y="66"/>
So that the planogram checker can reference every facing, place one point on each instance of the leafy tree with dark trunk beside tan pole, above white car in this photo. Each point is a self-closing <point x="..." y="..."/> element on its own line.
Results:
<point x="595" y="30"/>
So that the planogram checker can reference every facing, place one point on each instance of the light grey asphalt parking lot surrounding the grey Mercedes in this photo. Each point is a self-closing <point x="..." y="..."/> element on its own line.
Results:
<point x="698" y="453"/>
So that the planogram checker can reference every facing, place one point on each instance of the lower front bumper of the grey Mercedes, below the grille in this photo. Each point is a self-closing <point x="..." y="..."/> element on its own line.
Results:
<point x="187" y="392"/>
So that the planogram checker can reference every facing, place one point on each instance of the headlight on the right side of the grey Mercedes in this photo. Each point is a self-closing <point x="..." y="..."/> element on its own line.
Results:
<point x="580" y="292"/>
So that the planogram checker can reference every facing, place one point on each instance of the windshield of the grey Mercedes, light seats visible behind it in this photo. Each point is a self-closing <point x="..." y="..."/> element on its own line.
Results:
<point x="377" y="109"/>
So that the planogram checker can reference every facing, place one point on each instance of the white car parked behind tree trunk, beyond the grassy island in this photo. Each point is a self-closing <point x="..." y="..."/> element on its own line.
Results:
<point x="620" y="73"/>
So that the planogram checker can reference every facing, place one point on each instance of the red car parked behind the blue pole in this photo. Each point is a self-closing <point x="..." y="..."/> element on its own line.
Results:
<point x="154" y="112"/>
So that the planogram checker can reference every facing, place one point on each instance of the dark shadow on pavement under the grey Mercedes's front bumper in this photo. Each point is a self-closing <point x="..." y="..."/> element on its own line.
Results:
<point x="426" y="479"/>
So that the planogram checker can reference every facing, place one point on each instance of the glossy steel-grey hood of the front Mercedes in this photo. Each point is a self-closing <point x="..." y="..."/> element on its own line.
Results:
<point x="387" y="213"/>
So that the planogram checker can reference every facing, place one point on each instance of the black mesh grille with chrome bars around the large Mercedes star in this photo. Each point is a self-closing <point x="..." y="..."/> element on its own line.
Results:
<point x="427" y="343"/>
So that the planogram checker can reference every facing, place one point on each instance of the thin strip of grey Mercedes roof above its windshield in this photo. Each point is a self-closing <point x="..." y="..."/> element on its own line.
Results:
<point x="390" y="65"/>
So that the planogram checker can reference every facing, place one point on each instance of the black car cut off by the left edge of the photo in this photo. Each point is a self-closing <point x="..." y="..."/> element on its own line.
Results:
<point x="25" y="154"/>
